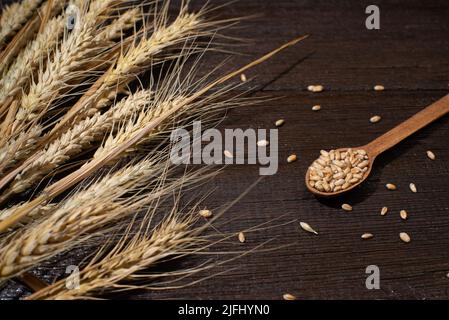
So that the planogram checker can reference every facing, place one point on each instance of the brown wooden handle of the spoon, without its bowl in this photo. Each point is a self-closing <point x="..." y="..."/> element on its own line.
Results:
<point x="409" y="126"/>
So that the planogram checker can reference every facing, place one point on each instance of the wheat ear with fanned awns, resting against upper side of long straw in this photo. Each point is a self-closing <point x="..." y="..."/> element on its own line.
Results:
<point x="169" y="93"/>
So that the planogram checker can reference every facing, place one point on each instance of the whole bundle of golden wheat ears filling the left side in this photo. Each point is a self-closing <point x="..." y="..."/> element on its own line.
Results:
<point x="89" y="93"/>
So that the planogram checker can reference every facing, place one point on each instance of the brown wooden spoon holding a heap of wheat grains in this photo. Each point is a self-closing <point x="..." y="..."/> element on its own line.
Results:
<point x="390" y="139"/>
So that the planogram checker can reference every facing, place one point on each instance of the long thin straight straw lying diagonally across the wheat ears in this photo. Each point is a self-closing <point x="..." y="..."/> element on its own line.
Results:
<point x="91" y="167"/>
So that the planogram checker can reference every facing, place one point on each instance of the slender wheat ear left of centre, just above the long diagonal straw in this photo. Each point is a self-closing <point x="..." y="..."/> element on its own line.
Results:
<point x="77" y="139"/>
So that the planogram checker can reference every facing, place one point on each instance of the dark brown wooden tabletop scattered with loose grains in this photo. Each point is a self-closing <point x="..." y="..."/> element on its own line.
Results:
<point x="409" y="55"/>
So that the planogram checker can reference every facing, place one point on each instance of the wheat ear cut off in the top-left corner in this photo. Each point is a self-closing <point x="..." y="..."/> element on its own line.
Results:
<point x="14" y="17"/>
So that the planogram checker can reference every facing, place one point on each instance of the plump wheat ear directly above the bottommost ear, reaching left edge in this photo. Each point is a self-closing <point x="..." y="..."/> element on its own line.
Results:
<point x="80" y="214"/>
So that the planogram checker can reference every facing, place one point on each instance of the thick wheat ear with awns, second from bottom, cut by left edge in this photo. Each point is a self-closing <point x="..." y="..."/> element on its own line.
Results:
<point x="87" y="212"/>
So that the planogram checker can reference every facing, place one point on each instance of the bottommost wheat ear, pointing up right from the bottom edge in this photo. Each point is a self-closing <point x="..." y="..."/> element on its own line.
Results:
<point x="172" y="238"/>
